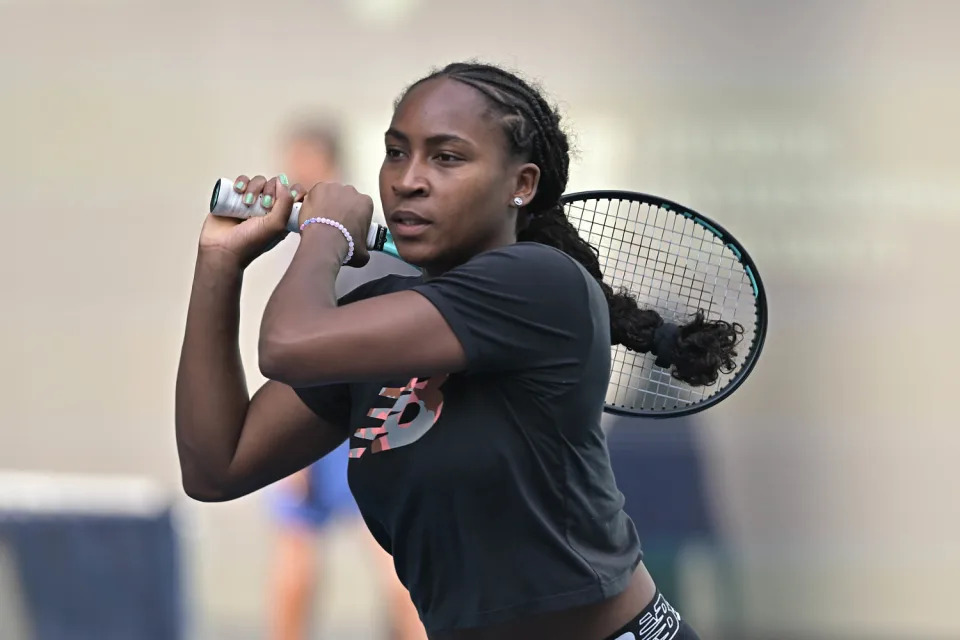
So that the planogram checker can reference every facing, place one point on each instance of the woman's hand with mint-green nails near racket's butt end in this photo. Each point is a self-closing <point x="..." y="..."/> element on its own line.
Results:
<point x="245" y="240"/>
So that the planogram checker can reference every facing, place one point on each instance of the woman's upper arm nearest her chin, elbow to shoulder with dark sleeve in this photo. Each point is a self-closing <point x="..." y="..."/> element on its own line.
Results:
<point x="511" y="308"/>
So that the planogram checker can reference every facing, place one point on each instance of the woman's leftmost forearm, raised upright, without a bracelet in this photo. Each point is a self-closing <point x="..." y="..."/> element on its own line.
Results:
<point x="211" y="392"/>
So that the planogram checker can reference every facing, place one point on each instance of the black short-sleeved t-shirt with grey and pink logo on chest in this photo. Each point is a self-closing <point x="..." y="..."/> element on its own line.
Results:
<point x="492" y="487"/>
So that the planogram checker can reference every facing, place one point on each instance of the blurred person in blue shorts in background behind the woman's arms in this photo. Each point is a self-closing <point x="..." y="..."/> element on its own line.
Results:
<point x="308" y="501"/>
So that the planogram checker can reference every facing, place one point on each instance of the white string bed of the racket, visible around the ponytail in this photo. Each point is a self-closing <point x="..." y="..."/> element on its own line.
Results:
<point x="672" y="264"/>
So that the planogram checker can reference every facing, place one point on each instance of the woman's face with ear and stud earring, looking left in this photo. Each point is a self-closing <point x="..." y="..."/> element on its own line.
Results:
<point x="447" y="182"/>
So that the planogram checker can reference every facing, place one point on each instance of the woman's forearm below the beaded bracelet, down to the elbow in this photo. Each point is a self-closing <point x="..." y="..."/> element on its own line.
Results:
<point x="298" y="305"/>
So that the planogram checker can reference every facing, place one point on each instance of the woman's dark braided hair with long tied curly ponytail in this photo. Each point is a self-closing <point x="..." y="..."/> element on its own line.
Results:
<point x="699" y="349"/>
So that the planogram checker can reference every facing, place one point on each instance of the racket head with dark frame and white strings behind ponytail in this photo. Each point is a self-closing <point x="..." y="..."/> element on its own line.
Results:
<point x="675" y="261"/>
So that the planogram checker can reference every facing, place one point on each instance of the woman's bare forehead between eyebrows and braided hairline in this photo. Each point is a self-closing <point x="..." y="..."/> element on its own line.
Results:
<point x="445" y="106"/>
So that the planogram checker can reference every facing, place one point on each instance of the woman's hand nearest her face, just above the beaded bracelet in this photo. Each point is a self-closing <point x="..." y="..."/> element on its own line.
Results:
<point x="345" y="205"/>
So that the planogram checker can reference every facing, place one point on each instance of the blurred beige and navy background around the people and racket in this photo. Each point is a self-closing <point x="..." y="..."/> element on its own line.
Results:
<point x="822" y="498"/>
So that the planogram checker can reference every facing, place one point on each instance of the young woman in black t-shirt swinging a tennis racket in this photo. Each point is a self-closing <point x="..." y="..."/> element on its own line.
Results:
<point x="471" y="396"/>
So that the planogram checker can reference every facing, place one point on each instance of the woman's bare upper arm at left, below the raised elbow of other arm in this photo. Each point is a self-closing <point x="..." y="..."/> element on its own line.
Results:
<point x="280" y="436"/>
